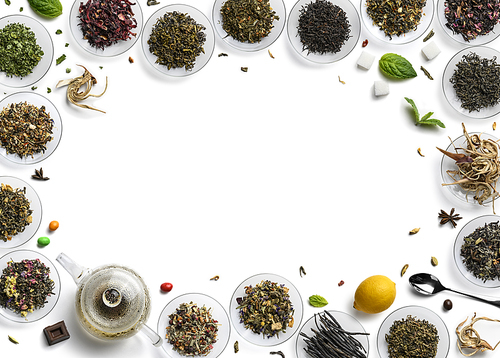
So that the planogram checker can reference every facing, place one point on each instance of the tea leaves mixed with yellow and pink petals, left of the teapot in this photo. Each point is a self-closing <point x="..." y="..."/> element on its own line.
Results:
<point x="25" y="286"/>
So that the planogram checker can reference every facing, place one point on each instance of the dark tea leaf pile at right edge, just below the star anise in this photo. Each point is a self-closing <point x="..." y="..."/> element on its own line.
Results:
<point x="480" y="252"/>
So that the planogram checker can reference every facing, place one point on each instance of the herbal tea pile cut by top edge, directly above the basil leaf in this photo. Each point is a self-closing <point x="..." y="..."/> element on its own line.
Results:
<point x="395" y="18"/>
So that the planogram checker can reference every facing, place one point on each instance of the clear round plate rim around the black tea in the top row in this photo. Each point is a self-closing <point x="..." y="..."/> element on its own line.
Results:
<point x="347" y="47"/>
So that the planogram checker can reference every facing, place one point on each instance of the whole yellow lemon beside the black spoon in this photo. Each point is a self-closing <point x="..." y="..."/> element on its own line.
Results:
<point x="375" y="294"/>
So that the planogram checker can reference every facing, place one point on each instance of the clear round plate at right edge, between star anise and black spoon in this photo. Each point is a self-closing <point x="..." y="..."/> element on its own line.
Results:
<point x="467" y="230"/>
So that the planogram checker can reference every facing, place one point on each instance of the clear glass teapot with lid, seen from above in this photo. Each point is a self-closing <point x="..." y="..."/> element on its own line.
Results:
<point x="112" y="301"/>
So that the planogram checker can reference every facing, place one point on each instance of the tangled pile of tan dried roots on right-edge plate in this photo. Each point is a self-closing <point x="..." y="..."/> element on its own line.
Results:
<point x="478" y="167"/>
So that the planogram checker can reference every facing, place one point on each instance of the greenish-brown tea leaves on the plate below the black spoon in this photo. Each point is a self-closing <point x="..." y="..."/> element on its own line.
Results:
<point x="412" y="338"/>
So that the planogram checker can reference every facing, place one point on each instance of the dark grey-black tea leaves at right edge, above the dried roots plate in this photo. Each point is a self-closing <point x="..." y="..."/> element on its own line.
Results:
<point x="476" y="81"/>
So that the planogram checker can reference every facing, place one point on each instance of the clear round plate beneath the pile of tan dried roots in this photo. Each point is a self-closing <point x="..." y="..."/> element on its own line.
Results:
<point x="448" y="164"/>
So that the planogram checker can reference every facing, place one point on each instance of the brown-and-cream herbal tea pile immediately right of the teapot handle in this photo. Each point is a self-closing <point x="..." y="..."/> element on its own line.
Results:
<point x="192" y="330"/>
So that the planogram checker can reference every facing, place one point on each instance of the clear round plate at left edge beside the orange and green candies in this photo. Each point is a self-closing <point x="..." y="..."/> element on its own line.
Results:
<point x="35" y="205"/>
